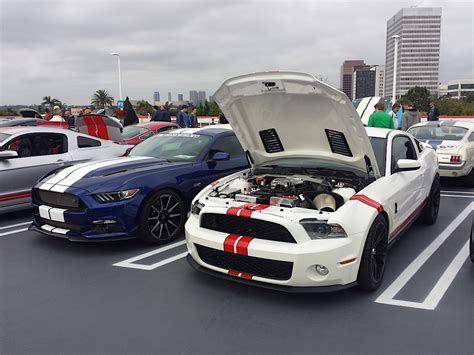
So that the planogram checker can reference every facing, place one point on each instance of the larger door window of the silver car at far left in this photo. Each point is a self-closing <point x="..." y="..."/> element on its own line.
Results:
<point x="31" y="145"/>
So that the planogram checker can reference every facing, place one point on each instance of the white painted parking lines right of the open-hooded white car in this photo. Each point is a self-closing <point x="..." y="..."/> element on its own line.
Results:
<point x="435" y="295"/>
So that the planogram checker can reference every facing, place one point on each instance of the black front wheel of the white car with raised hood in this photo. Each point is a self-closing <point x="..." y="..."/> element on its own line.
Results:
<point x="372" y="264"/>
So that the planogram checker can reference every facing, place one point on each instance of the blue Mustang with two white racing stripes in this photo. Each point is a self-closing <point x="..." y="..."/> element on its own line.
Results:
<point x="146" y="194"/>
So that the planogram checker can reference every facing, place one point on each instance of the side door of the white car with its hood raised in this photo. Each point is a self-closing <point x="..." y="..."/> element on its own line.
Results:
<point x="404" y="188"/>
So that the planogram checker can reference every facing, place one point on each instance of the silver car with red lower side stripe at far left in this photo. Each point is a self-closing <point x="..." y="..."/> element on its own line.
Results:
<point x="28" y="153"/>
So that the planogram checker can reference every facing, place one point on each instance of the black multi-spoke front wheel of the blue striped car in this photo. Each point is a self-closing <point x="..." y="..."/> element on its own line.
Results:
<point x="162" y="217"/>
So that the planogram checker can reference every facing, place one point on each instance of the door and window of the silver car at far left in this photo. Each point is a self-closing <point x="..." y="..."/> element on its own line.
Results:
<point x="38" y="154"/>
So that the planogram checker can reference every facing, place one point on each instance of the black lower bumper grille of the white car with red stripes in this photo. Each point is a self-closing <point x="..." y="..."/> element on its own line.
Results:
<point x="271" y="269"/>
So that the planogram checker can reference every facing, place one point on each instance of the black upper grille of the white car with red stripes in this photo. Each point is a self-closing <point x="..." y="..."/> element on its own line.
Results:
<point x="246" y="226"/>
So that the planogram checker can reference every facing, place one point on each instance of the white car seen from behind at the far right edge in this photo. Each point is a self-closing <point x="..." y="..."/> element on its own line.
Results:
<point x="454" y="145"/>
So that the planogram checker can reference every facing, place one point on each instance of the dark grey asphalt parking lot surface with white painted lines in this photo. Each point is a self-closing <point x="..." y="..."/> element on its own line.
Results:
<point x="129" y="297"/>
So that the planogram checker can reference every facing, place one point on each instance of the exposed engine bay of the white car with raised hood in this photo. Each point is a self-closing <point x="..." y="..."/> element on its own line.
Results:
<point x="318" y="193"/>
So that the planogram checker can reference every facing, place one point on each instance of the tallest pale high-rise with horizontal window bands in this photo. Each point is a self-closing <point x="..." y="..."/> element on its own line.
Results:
<point x="419" y="29"/>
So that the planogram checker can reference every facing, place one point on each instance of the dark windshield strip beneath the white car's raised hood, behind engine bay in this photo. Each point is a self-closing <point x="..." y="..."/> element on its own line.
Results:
<point x="308" y="166"/>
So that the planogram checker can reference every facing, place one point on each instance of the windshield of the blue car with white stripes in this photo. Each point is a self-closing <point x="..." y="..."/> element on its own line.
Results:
<point x="172" y="147"/>
